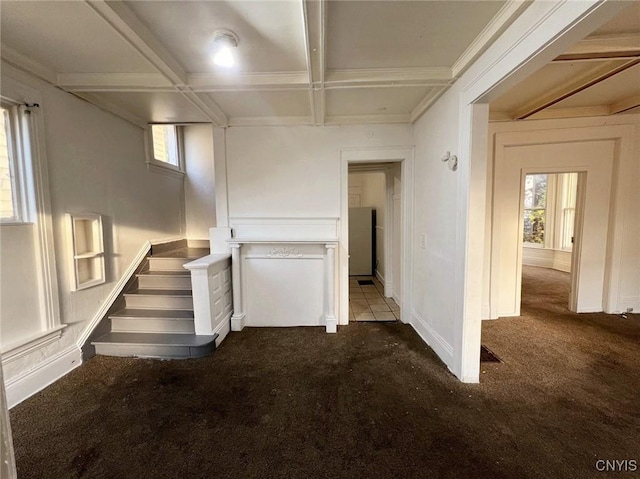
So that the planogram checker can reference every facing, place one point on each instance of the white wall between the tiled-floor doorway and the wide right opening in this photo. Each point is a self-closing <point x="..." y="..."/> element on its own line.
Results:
<point x="435" y="213"/>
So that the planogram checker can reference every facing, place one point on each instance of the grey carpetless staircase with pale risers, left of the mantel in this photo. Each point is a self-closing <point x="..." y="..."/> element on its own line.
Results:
<point x="157" y="320"/>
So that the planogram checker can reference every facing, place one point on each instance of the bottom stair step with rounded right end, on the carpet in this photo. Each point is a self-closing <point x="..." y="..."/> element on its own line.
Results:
<point x="155" y="345"/>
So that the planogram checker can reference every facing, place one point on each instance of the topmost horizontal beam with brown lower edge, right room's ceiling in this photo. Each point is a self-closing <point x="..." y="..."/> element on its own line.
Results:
<point x="602" y="47"/>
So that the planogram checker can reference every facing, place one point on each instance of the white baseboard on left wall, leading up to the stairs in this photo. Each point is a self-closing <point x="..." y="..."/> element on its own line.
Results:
<point x="36" y="379"/>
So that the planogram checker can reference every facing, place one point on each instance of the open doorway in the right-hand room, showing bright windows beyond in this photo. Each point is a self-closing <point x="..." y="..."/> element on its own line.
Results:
<point x="549" y="235"/>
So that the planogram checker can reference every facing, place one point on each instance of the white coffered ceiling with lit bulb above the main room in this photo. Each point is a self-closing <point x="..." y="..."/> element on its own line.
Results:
<point x="310" y="62"/>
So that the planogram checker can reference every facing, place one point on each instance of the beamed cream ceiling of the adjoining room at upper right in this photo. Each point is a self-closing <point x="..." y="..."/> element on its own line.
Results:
<point x="600" y="75"/>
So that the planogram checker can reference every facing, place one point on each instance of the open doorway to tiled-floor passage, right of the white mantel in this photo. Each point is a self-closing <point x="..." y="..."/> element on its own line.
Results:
<point x="374" y="226"/>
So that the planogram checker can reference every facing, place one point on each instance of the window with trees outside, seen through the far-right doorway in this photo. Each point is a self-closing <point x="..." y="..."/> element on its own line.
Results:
<point x="535" y="209"/>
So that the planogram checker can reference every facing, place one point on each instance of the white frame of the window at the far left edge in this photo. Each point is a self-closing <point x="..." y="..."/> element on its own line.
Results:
<point x="19" y="164"/>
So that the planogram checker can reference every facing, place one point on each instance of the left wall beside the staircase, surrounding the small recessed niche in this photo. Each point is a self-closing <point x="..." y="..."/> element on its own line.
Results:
<point x="96" y="163"/>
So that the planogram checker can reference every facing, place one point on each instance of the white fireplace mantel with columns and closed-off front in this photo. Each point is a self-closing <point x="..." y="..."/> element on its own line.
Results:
<point x="283" y="272"/>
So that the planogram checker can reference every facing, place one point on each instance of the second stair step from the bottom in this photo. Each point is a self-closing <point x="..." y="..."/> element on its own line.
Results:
<point x="152" y="321"/>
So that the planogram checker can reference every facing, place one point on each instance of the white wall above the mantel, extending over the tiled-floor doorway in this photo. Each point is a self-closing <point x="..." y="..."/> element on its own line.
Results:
<point x="295" y="171"/>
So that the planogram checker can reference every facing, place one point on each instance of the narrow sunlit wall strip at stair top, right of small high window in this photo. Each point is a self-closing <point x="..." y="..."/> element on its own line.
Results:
<point x="200" y="199"/>
